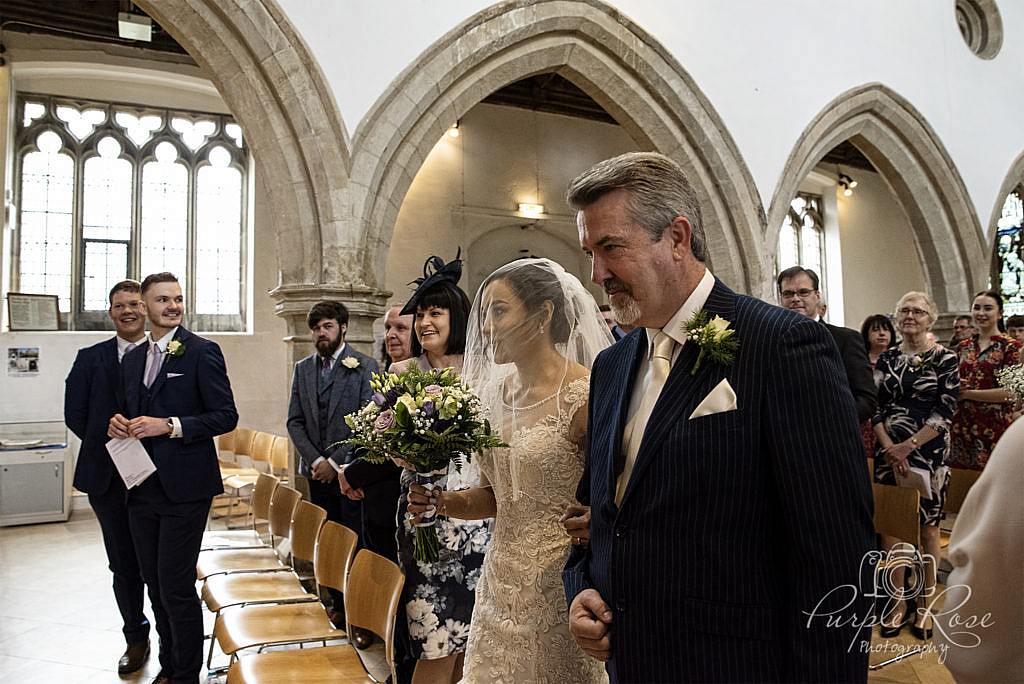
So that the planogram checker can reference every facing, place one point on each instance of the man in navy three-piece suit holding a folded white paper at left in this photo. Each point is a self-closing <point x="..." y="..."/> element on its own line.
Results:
<point x="177" y="400"/>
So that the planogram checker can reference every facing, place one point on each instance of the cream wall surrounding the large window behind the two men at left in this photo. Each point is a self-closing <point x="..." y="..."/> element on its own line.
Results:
<point x="257" y="360"/>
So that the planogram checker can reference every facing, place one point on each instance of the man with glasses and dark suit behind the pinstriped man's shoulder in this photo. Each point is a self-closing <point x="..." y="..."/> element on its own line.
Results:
<point x="798" y="290"/>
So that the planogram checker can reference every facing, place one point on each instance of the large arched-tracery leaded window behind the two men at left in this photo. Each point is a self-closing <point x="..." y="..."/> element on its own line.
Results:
<point x="108" y="192"/>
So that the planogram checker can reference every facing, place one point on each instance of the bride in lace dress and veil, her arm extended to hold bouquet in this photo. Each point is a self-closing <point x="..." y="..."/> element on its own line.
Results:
<point x="534" y="333"/>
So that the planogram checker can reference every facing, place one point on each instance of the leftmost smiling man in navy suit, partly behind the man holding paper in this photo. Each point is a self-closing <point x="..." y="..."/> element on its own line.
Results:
<point x="92" y="397"/>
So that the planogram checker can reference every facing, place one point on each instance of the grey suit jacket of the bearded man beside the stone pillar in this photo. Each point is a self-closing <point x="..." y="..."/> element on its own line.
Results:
<point x="350" y="392"/>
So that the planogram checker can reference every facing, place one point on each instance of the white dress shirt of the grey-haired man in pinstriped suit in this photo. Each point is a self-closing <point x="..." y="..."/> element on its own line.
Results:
<point x="639" y="411"/>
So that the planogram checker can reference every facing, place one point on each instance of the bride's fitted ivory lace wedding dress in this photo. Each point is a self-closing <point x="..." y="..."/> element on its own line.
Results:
<point x="520" y="631"/>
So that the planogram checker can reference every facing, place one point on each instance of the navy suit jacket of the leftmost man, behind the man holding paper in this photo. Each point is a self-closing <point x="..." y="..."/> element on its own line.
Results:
<point x="93" y="395"/>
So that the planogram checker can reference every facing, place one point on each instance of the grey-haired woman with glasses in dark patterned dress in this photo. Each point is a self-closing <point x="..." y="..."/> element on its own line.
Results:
<point x="918" y="390"/>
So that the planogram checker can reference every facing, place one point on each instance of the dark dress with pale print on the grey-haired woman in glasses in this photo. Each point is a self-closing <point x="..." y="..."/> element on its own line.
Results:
<point x="916" y="391"/>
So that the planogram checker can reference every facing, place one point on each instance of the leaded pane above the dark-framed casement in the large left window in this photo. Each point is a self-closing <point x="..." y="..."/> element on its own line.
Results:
<point x="107" y="205"/>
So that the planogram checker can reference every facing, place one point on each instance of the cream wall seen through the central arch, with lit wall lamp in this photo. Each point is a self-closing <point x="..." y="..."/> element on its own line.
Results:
<point x="468" y="189"/>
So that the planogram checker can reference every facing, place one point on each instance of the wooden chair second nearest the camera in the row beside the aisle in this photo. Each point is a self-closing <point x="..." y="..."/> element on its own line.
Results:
<point x="245" y="627"/>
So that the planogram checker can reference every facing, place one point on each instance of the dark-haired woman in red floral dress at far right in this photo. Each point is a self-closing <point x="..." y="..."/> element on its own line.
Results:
<point x="986" y="409"/>
